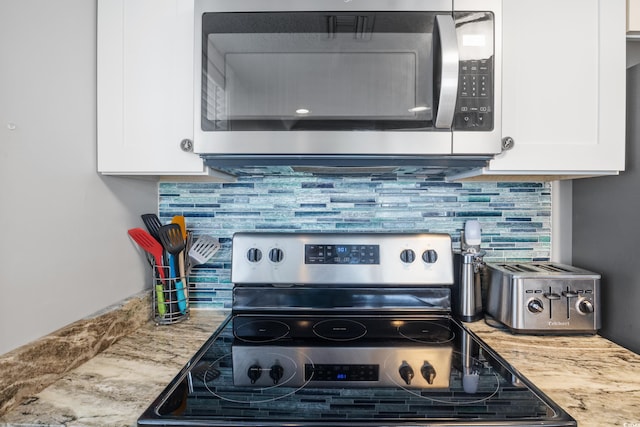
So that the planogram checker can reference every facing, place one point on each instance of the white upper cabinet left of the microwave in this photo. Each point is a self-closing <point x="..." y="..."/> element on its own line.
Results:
<point x="145" y="87"/>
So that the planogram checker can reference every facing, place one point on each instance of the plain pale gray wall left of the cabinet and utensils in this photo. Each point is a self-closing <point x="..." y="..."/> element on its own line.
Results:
<point x="64" y="251"/>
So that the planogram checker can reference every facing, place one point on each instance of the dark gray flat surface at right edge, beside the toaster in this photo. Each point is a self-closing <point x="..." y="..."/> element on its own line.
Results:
<point x="606" y="232"/>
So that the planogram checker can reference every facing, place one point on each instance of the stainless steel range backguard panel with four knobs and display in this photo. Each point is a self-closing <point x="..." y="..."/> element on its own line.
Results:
<point x="374" y="259"/>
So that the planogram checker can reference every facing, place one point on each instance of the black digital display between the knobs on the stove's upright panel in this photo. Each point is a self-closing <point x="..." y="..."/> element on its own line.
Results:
<point x="342" y="254"/>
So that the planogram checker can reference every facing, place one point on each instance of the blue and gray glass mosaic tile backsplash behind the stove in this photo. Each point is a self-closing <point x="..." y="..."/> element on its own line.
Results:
<point x="515" y="217"/>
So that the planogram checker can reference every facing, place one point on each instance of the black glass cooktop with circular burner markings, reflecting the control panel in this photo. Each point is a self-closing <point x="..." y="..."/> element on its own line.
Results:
<point x="473" y="386"/>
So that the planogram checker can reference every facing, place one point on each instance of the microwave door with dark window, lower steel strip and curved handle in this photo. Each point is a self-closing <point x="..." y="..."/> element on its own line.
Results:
<point x="326" y="83"/>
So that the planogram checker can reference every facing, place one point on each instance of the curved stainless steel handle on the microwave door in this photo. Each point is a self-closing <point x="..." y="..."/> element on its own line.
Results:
<point x="449" y="60"/>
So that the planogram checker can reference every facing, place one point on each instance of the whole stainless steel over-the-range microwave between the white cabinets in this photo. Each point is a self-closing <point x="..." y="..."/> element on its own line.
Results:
<point x="345" y="79"/>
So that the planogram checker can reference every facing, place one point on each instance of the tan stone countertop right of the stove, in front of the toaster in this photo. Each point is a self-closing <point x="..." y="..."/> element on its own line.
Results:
<point x="594" y="380"/>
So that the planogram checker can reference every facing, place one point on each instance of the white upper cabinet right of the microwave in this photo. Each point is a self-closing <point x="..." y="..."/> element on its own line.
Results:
<point x="563" y="96"/>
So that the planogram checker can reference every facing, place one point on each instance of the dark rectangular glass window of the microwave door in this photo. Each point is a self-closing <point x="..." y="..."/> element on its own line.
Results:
<point x="318" y="71"/>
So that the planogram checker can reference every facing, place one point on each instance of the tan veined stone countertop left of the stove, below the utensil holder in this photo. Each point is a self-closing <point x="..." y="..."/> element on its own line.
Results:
<point x="117" y="385"/>
